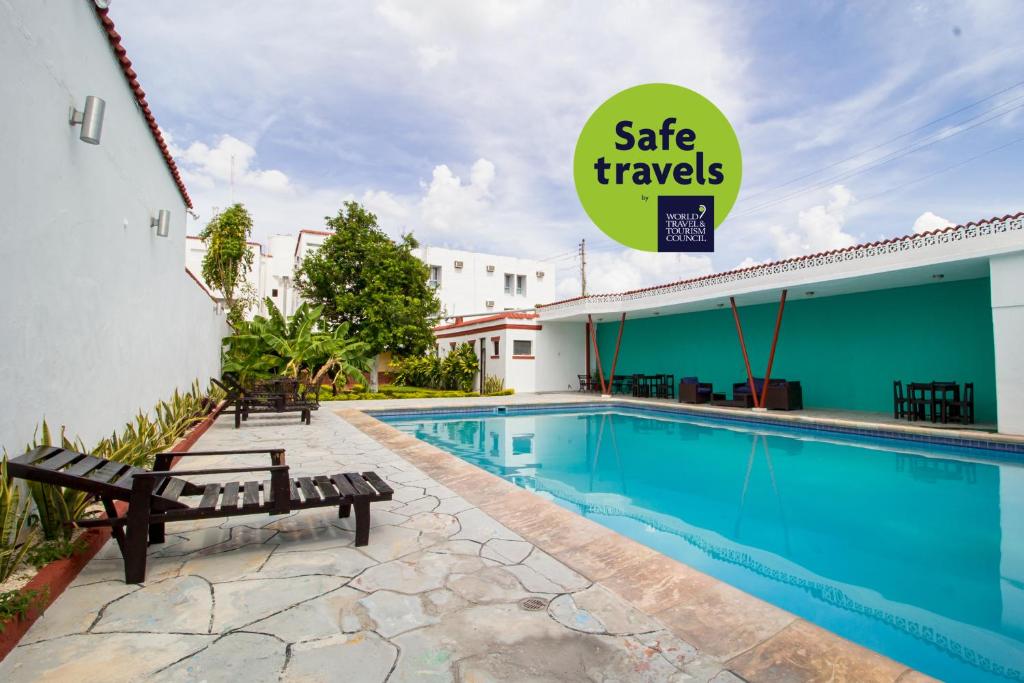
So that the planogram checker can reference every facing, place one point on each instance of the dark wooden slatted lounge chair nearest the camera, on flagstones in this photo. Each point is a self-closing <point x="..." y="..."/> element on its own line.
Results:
<point x="155" y="498"/>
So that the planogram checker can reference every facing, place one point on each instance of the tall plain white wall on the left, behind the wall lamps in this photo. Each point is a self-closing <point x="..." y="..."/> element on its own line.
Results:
<point x="99" y="319"/>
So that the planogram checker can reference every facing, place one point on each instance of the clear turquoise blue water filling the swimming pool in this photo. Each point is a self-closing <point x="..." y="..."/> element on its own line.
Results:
<point x="914" y="550"/>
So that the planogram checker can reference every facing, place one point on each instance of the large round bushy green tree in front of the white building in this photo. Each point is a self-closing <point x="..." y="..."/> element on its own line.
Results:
<point x="373" y="283"/>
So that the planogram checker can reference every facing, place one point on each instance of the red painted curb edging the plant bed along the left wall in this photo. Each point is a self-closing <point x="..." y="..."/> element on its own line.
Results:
<point x="56" y="577"/>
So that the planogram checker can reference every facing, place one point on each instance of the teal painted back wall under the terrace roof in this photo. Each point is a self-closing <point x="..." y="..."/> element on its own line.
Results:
<point x="845" y="351"/>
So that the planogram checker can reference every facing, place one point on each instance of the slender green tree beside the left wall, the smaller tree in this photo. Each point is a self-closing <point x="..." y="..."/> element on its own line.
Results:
<point x="229" y="259"/>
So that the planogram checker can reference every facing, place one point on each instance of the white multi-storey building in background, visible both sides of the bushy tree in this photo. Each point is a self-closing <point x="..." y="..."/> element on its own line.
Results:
<point x="466" y="283"/>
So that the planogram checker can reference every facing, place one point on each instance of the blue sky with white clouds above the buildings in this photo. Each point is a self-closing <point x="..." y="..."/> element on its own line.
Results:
<point x="458" y="120"/>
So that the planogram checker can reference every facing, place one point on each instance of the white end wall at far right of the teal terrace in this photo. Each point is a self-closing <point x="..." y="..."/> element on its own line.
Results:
<point x="1008" y="325"/>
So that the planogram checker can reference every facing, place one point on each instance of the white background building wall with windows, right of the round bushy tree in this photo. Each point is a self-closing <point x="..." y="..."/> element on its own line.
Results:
<point x="467" y="290"/>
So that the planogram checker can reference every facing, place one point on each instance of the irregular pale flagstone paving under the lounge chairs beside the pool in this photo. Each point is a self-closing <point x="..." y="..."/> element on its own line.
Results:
<point x="435" y="596"/>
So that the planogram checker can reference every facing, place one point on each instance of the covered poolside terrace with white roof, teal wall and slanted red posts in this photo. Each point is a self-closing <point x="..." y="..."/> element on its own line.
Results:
<point x="945" y="306"/>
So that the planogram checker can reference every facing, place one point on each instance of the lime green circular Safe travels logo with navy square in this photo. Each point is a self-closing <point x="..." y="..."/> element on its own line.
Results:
<point x="658" y="168"/>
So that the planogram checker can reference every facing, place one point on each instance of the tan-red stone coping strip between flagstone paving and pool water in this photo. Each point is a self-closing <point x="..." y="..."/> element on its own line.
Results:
<point x="752" y="638"/>
